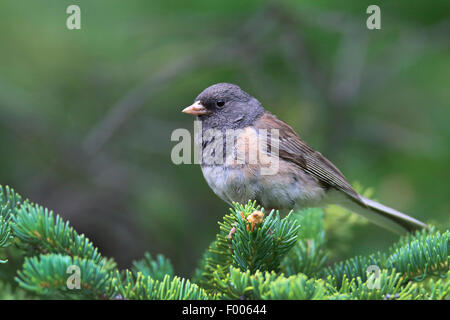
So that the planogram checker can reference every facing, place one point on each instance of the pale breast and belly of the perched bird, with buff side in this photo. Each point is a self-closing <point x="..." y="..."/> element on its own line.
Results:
<point x="238" y="173"/>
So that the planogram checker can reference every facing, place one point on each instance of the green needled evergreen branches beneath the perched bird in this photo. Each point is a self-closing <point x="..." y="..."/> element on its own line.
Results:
<point x="244" y="262"/>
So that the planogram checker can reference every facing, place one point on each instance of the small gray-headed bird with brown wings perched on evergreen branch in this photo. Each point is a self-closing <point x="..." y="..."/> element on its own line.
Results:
<point x="304" y="177"/>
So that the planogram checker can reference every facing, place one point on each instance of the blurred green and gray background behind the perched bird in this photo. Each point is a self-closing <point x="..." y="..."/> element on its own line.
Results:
<point x="86" y="115"/>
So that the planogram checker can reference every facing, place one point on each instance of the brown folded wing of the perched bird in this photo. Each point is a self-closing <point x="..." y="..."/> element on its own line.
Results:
<point x="292" y="148"/>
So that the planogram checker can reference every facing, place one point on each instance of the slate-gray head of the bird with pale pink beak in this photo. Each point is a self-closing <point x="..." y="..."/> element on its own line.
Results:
<point x="225" y="106"/>
